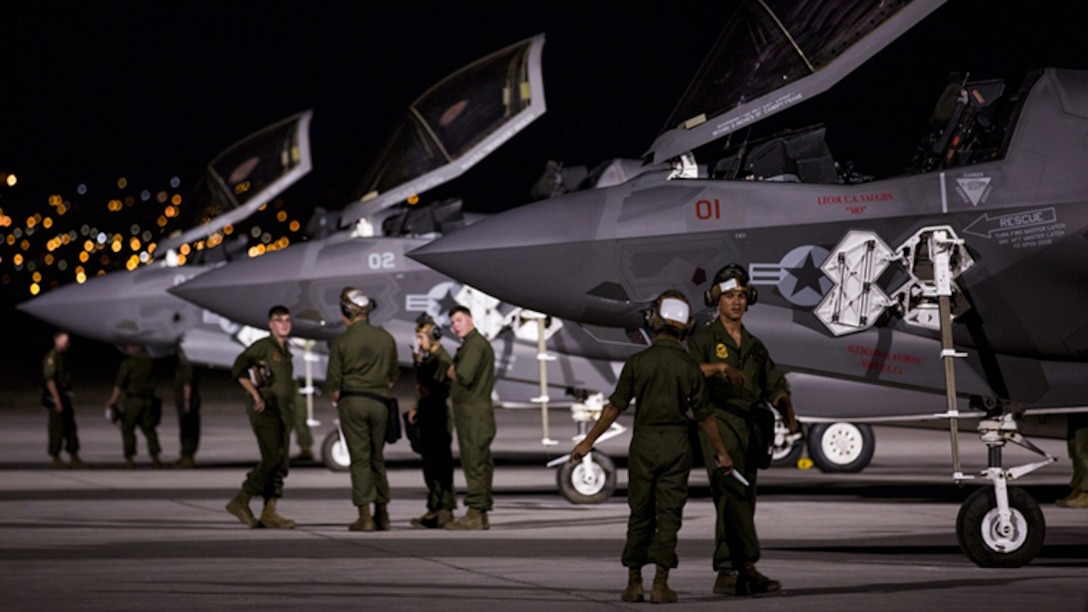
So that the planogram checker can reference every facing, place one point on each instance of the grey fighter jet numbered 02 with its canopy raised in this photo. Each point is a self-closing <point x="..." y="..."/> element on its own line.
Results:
<point x="485" y="104"/>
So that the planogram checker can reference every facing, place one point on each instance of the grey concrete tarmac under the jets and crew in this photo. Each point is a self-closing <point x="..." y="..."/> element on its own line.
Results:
<point x="107" y="538"/>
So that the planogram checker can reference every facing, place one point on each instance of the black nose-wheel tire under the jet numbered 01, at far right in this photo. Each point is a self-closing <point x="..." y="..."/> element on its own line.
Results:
<point x="976" y="530"/>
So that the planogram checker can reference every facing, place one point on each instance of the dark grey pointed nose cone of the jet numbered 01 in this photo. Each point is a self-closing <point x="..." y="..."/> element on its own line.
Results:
<point x="547" y="256"/>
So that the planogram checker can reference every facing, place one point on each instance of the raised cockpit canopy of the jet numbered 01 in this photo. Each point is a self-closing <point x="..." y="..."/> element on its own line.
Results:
<point x="774" y="55"/>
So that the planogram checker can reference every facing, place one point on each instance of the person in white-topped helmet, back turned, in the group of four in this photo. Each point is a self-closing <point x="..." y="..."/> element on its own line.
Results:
<point x="363" y="369"/>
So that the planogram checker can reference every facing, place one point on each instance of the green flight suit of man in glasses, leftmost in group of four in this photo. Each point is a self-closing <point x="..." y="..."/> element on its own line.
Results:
<point x="271" y="426"/>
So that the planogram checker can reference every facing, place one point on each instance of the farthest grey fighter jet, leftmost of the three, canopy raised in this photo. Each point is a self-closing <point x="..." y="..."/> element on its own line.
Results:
<point x="133" y="308"/>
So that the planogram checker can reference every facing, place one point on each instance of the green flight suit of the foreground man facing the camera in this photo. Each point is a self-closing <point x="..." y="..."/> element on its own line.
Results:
<point x="737" y="542"/>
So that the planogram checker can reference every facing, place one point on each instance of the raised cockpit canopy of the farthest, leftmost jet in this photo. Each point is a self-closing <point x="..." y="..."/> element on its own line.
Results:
<point x="245" y="177"/>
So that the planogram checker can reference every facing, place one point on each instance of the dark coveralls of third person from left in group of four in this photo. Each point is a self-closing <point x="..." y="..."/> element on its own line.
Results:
<point x="432" y="418"/>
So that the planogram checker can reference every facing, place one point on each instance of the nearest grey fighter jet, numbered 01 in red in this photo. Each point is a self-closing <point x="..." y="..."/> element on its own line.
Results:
<point x="955" y="286"/>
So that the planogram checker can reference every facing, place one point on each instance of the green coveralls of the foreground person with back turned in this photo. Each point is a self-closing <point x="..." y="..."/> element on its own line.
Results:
<point x="665" y="383"/>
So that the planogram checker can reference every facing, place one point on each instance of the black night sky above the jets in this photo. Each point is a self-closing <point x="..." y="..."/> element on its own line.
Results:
<point x="94" y="92"/>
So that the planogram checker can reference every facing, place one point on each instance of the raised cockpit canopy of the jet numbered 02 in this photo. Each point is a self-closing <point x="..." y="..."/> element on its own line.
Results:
<point x="454" y="126"/>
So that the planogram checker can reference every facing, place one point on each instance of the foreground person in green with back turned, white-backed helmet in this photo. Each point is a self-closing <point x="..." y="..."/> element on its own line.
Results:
<point x="665" y="384"/>
